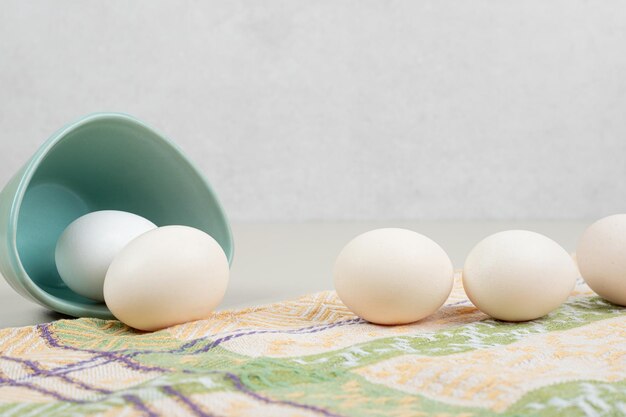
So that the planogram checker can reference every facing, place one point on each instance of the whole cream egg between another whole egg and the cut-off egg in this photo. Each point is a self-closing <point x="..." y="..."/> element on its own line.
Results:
<point x="517" y="275"/>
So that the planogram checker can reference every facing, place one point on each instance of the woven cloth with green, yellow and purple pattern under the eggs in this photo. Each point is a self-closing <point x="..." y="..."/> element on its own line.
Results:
<point x="312" y="357"/>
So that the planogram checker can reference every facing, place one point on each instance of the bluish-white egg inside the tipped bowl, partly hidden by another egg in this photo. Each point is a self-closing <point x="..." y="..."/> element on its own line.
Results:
<point x="88" y="245"/>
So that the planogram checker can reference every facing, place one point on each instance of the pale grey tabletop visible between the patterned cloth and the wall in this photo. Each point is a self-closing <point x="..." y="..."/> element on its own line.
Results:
<point x="281" y="261"/>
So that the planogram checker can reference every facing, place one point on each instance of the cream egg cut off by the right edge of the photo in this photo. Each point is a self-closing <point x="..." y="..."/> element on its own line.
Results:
<point x="601" y="257"/>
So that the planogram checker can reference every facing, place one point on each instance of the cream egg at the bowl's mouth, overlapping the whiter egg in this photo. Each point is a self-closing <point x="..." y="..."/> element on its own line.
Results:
<point x="168" y="276"/>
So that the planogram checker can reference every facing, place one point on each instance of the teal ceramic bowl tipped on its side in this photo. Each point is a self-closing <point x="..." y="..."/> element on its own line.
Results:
<point x="105" y="161"/>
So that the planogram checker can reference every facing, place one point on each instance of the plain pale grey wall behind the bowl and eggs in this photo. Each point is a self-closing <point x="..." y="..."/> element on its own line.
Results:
<point x="300" y="110"/>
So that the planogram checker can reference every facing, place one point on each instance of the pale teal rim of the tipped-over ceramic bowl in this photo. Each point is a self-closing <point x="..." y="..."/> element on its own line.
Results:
<point x="34" y="291"/>
